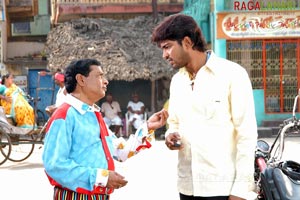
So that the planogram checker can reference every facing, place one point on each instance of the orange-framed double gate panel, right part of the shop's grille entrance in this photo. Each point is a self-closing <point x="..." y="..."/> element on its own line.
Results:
<point x="280" y="71"/>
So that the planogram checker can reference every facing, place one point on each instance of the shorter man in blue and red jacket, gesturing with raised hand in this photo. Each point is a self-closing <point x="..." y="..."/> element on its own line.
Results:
<point x="78" y="149"/>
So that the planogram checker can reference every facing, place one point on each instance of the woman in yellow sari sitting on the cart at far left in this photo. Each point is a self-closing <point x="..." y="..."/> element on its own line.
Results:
<point x="18" y="108"/>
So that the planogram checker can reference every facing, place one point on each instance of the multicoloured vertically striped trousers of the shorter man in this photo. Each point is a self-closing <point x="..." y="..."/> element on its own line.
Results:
<point x="62" y="194"/>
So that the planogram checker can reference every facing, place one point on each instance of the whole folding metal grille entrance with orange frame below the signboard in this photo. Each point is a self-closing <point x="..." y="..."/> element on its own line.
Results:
<point x="272" y="65"/>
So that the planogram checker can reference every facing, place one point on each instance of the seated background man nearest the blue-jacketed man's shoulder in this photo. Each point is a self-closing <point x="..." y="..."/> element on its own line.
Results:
<point x="111" y="111"/>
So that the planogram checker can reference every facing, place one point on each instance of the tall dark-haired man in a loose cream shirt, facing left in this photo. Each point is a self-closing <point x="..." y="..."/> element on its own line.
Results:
<point x="211" y="120"/>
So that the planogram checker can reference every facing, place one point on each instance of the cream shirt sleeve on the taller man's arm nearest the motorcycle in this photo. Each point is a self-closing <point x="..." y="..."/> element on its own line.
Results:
<point x="243" y="116"/>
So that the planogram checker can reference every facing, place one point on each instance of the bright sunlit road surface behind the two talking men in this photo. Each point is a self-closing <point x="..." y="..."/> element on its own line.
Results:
<point x="151" y="175"/>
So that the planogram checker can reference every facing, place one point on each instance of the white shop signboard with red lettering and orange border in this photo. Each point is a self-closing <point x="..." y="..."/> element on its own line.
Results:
<point x="258" y="24"/>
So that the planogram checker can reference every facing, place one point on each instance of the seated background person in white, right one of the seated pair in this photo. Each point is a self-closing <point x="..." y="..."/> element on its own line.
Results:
<point x="136" y="110"/>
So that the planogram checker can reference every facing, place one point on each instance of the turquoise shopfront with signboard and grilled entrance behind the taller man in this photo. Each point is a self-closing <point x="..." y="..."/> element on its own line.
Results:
<point x="263" y="37"/>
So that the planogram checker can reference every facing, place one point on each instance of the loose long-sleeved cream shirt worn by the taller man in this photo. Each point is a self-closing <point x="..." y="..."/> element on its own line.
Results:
<point x="217" y="123"/>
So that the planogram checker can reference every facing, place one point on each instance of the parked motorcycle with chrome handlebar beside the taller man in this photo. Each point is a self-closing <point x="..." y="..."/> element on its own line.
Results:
<point x="275" y="178"/>
